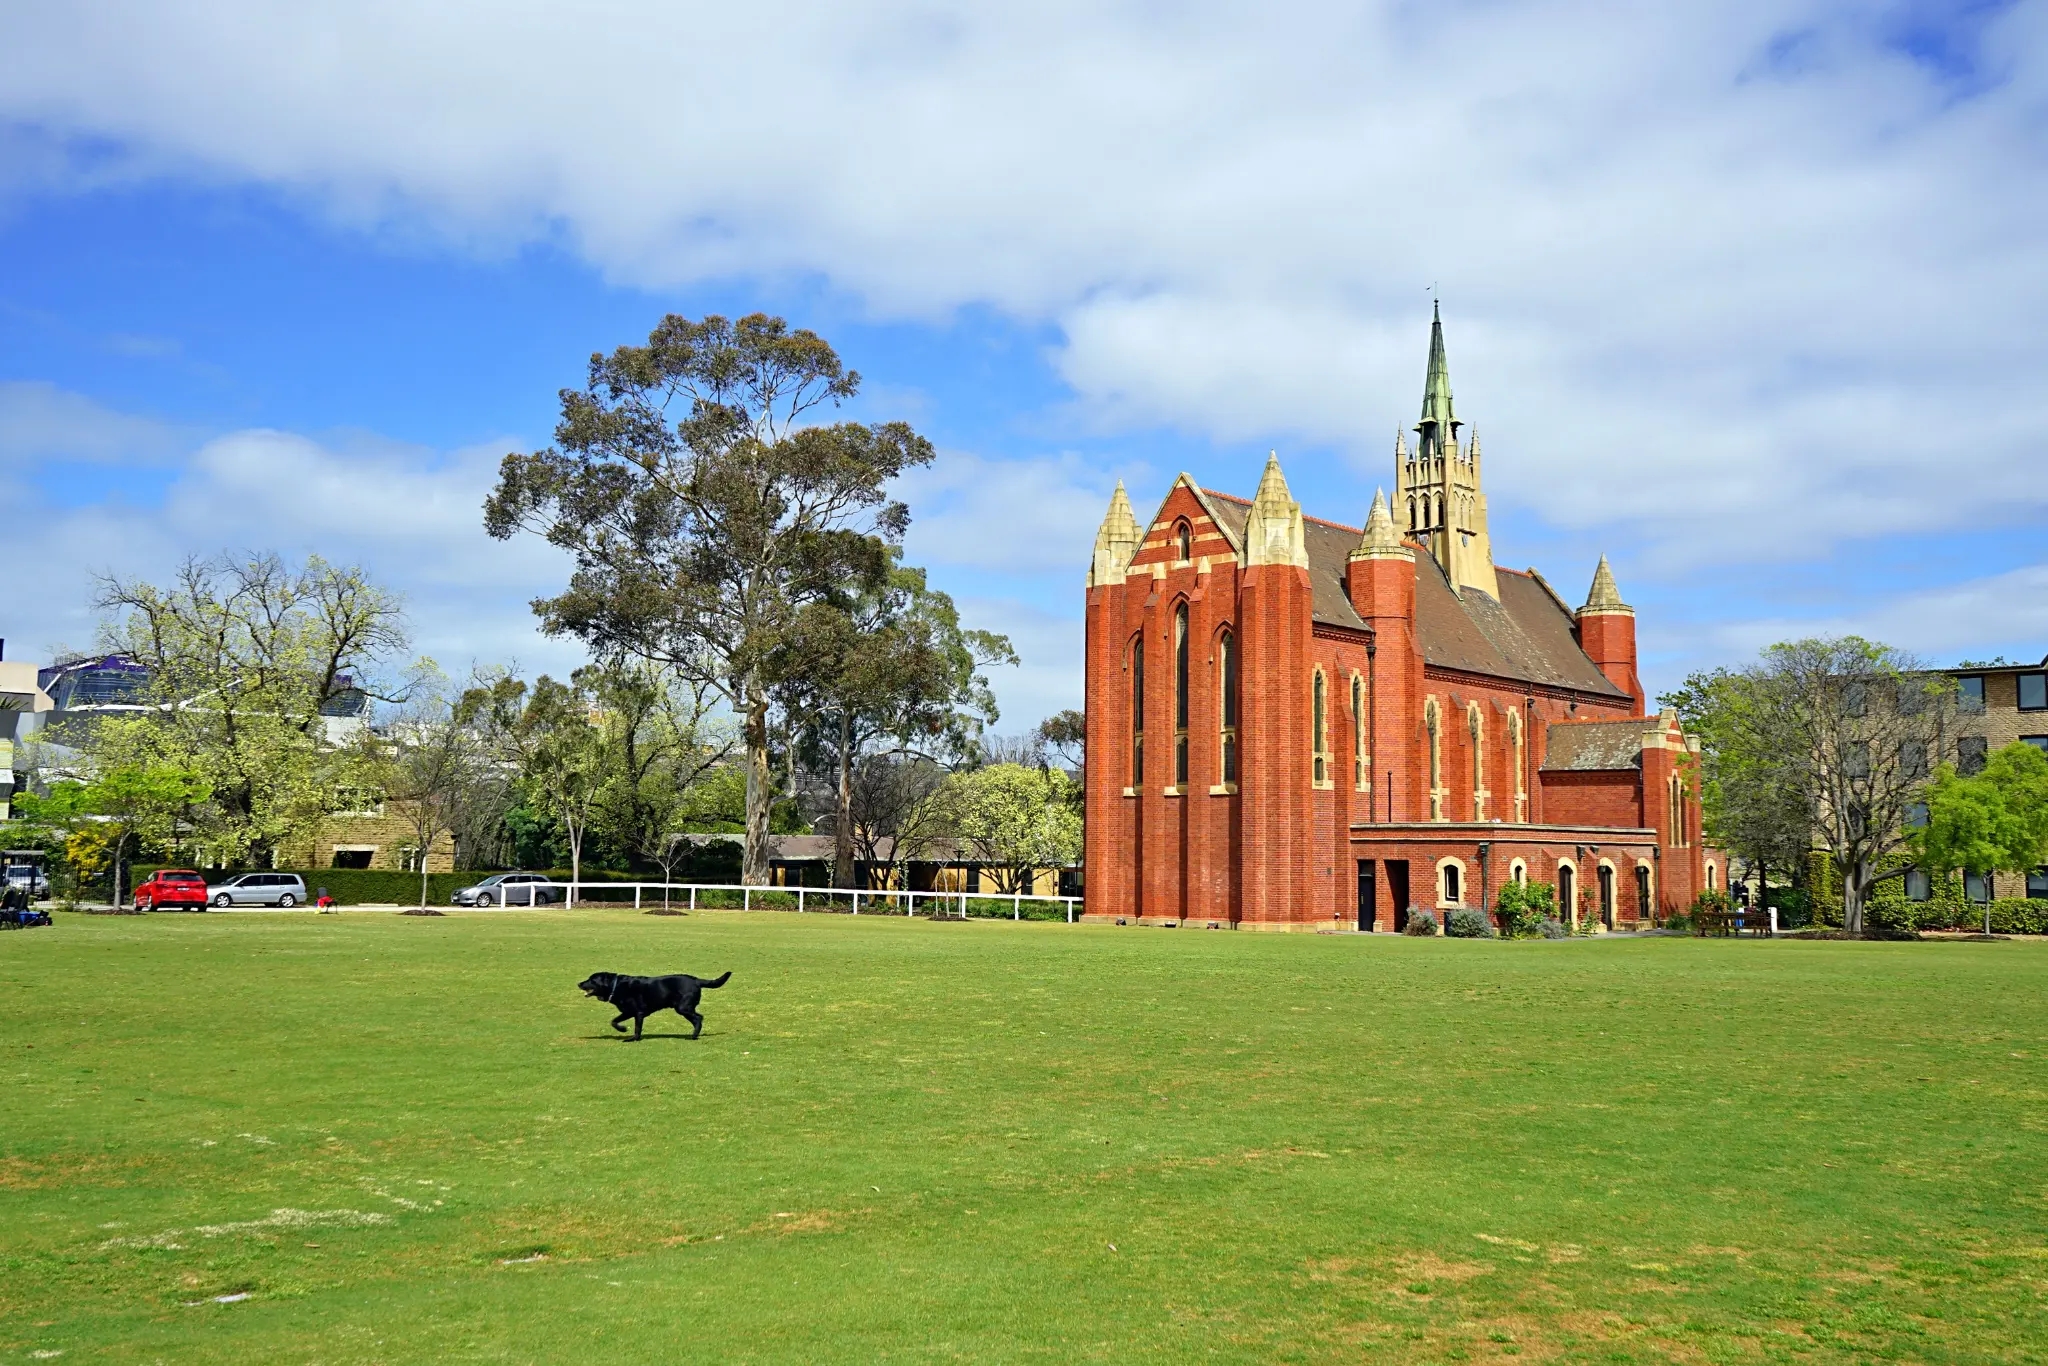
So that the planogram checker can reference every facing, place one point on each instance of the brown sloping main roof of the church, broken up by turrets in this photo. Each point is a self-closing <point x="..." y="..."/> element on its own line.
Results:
<point x="1527" y="636"/>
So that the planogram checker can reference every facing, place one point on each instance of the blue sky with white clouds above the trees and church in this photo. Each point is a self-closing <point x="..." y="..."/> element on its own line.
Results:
<point x="1744" y="296"/>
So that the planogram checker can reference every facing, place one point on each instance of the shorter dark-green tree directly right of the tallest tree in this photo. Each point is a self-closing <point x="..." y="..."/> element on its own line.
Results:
<point x="892" y="667"/>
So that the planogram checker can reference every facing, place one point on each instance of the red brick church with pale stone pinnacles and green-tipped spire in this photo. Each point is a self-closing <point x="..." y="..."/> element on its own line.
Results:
<point x="1306" y="726"/>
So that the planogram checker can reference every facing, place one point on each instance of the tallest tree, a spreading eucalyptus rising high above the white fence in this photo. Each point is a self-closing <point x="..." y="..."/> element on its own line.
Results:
<point x="706" y="509"/>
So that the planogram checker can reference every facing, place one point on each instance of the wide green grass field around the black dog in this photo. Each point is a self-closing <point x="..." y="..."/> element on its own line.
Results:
<point x="413" y="1142"/>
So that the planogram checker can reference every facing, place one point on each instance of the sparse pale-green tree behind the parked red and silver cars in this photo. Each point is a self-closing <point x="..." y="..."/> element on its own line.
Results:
<point x="253" y="673"/>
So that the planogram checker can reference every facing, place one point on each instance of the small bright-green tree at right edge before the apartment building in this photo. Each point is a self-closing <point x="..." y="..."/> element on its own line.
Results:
<point x="1990" y="822"/>
